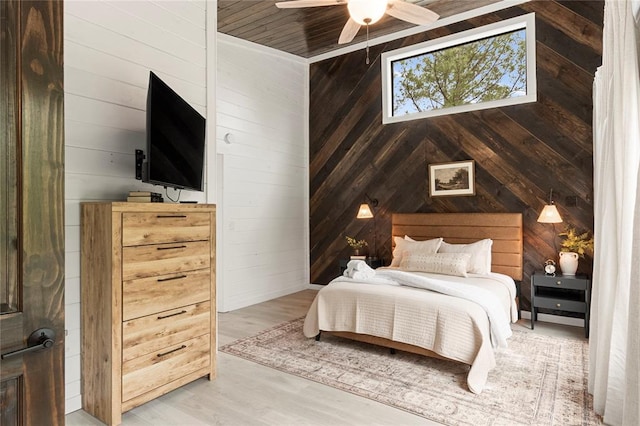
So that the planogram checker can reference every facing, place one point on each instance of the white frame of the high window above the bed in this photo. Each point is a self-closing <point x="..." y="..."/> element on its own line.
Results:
<point x="526" y="22"/>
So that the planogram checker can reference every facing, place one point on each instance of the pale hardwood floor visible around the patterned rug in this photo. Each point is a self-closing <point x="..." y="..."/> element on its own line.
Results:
<point x="246" y="393"/>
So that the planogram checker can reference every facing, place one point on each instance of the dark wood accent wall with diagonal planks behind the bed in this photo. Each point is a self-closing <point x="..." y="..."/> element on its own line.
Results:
<point x="521" y="152"/>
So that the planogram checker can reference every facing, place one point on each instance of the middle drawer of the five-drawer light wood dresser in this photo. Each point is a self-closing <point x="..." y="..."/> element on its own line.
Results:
<point x="145" y="296"/>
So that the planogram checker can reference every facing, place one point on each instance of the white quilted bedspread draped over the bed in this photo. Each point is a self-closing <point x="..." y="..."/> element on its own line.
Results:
<point x="456" y="328"/>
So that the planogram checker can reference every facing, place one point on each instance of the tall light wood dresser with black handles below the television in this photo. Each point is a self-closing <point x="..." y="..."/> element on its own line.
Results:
<point x="148" y="302"/>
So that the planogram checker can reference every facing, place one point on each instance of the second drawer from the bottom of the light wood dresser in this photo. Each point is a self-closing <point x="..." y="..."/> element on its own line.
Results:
<point x="144" y="335"/>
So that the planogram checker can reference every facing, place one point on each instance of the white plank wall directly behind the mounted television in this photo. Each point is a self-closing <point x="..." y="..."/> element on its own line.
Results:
<point x="110" y="47"/>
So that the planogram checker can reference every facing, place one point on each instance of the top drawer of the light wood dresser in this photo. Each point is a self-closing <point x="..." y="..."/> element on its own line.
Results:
<point x="155" y="228"/>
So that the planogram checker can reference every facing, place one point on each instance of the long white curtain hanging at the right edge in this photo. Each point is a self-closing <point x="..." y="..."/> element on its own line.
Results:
<point x="614" y="347"/>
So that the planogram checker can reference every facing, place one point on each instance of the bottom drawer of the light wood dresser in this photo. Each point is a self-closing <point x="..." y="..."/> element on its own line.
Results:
<point x="147" y="372"/>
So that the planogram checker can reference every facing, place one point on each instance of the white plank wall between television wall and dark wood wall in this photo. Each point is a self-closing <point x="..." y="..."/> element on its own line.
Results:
<point x="262" y="102"/>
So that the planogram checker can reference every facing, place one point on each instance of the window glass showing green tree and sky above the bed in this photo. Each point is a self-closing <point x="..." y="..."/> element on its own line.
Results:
<point x="483" y="70"/>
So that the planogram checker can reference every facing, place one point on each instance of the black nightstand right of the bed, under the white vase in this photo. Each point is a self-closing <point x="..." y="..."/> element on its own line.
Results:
<point x="567" y="293"/>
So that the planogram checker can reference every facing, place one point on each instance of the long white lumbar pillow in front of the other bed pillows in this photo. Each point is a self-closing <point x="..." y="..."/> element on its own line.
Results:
<point x="437" y="263"/>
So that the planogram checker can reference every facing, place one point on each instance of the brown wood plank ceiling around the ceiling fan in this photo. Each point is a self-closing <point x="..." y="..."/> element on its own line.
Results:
<point x="314" y="31"/>
